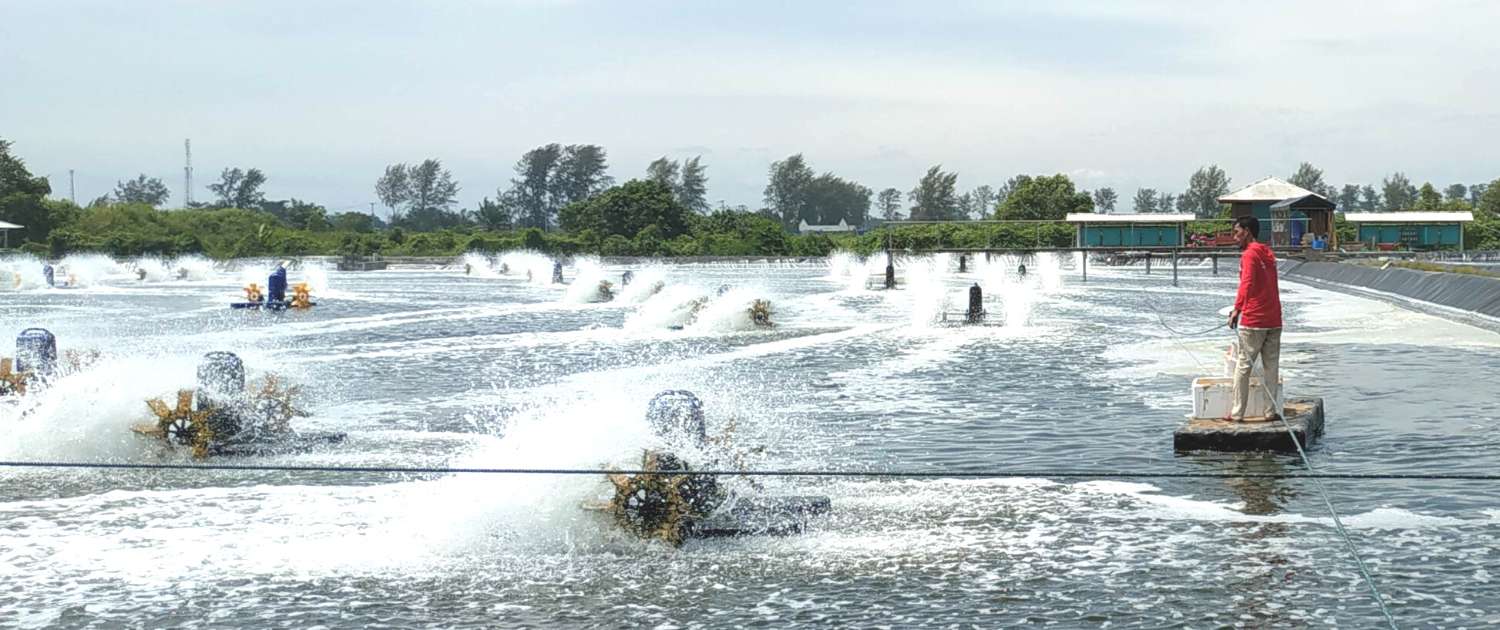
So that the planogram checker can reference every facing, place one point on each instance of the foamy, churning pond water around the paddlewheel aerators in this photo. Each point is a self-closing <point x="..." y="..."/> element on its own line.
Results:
<point x="445" y="368"/>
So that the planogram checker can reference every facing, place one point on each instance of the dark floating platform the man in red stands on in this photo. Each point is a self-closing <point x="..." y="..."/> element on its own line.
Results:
<point x="1303" y="415"/>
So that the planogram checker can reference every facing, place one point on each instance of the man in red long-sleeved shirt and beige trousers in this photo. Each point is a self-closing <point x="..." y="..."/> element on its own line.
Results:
<point x="1258" y="316"/>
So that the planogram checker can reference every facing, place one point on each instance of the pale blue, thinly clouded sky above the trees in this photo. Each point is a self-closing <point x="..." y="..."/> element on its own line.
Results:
<point x="323" y="95"/>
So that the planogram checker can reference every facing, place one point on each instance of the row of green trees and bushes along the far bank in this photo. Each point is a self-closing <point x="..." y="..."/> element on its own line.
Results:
<point x="562" y="199"/>
